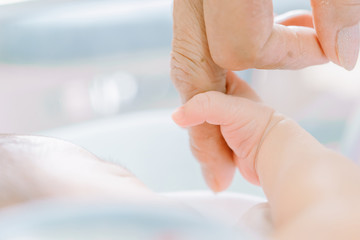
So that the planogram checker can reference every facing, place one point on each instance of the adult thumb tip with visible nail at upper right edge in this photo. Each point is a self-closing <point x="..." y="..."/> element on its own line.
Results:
<point x="337" y="25"/>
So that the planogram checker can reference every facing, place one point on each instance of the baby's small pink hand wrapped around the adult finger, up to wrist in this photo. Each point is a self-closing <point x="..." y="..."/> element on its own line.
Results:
<point x="243" y="119"/>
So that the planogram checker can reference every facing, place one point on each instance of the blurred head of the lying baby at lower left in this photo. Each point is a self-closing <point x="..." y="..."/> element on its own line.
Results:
<point x="34" y="168"/>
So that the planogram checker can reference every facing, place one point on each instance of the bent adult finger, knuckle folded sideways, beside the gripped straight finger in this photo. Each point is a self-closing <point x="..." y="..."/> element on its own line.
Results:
<point x="241" y="35"/>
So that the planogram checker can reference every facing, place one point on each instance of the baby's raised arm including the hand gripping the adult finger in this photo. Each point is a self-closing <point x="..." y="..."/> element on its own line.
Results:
<point x="313" y="192"/>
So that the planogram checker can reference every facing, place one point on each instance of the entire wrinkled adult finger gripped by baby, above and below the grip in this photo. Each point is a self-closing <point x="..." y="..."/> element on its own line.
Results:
<point x="193" y="71"/>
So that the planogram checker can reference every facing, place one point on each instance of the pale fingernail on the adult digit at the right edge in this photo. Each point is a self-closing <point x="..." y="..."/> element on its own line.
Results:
<point x="348" y="40"/>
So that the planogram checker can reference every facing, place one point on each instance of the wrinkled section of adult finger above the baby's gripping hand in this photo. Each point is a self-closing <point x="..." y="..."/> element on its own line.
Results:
<point x="192" y="68"/>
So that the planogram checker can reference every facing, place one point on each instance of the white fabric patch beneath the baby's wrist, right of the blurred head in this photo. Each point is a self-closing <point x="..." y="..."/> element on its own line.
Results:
<point x="232" y="209"/>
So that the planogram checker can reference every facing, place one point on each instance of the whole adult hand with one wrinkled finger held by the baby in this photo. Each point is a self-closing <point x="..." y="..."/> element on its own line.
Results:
<point x="212" y="37"/>
